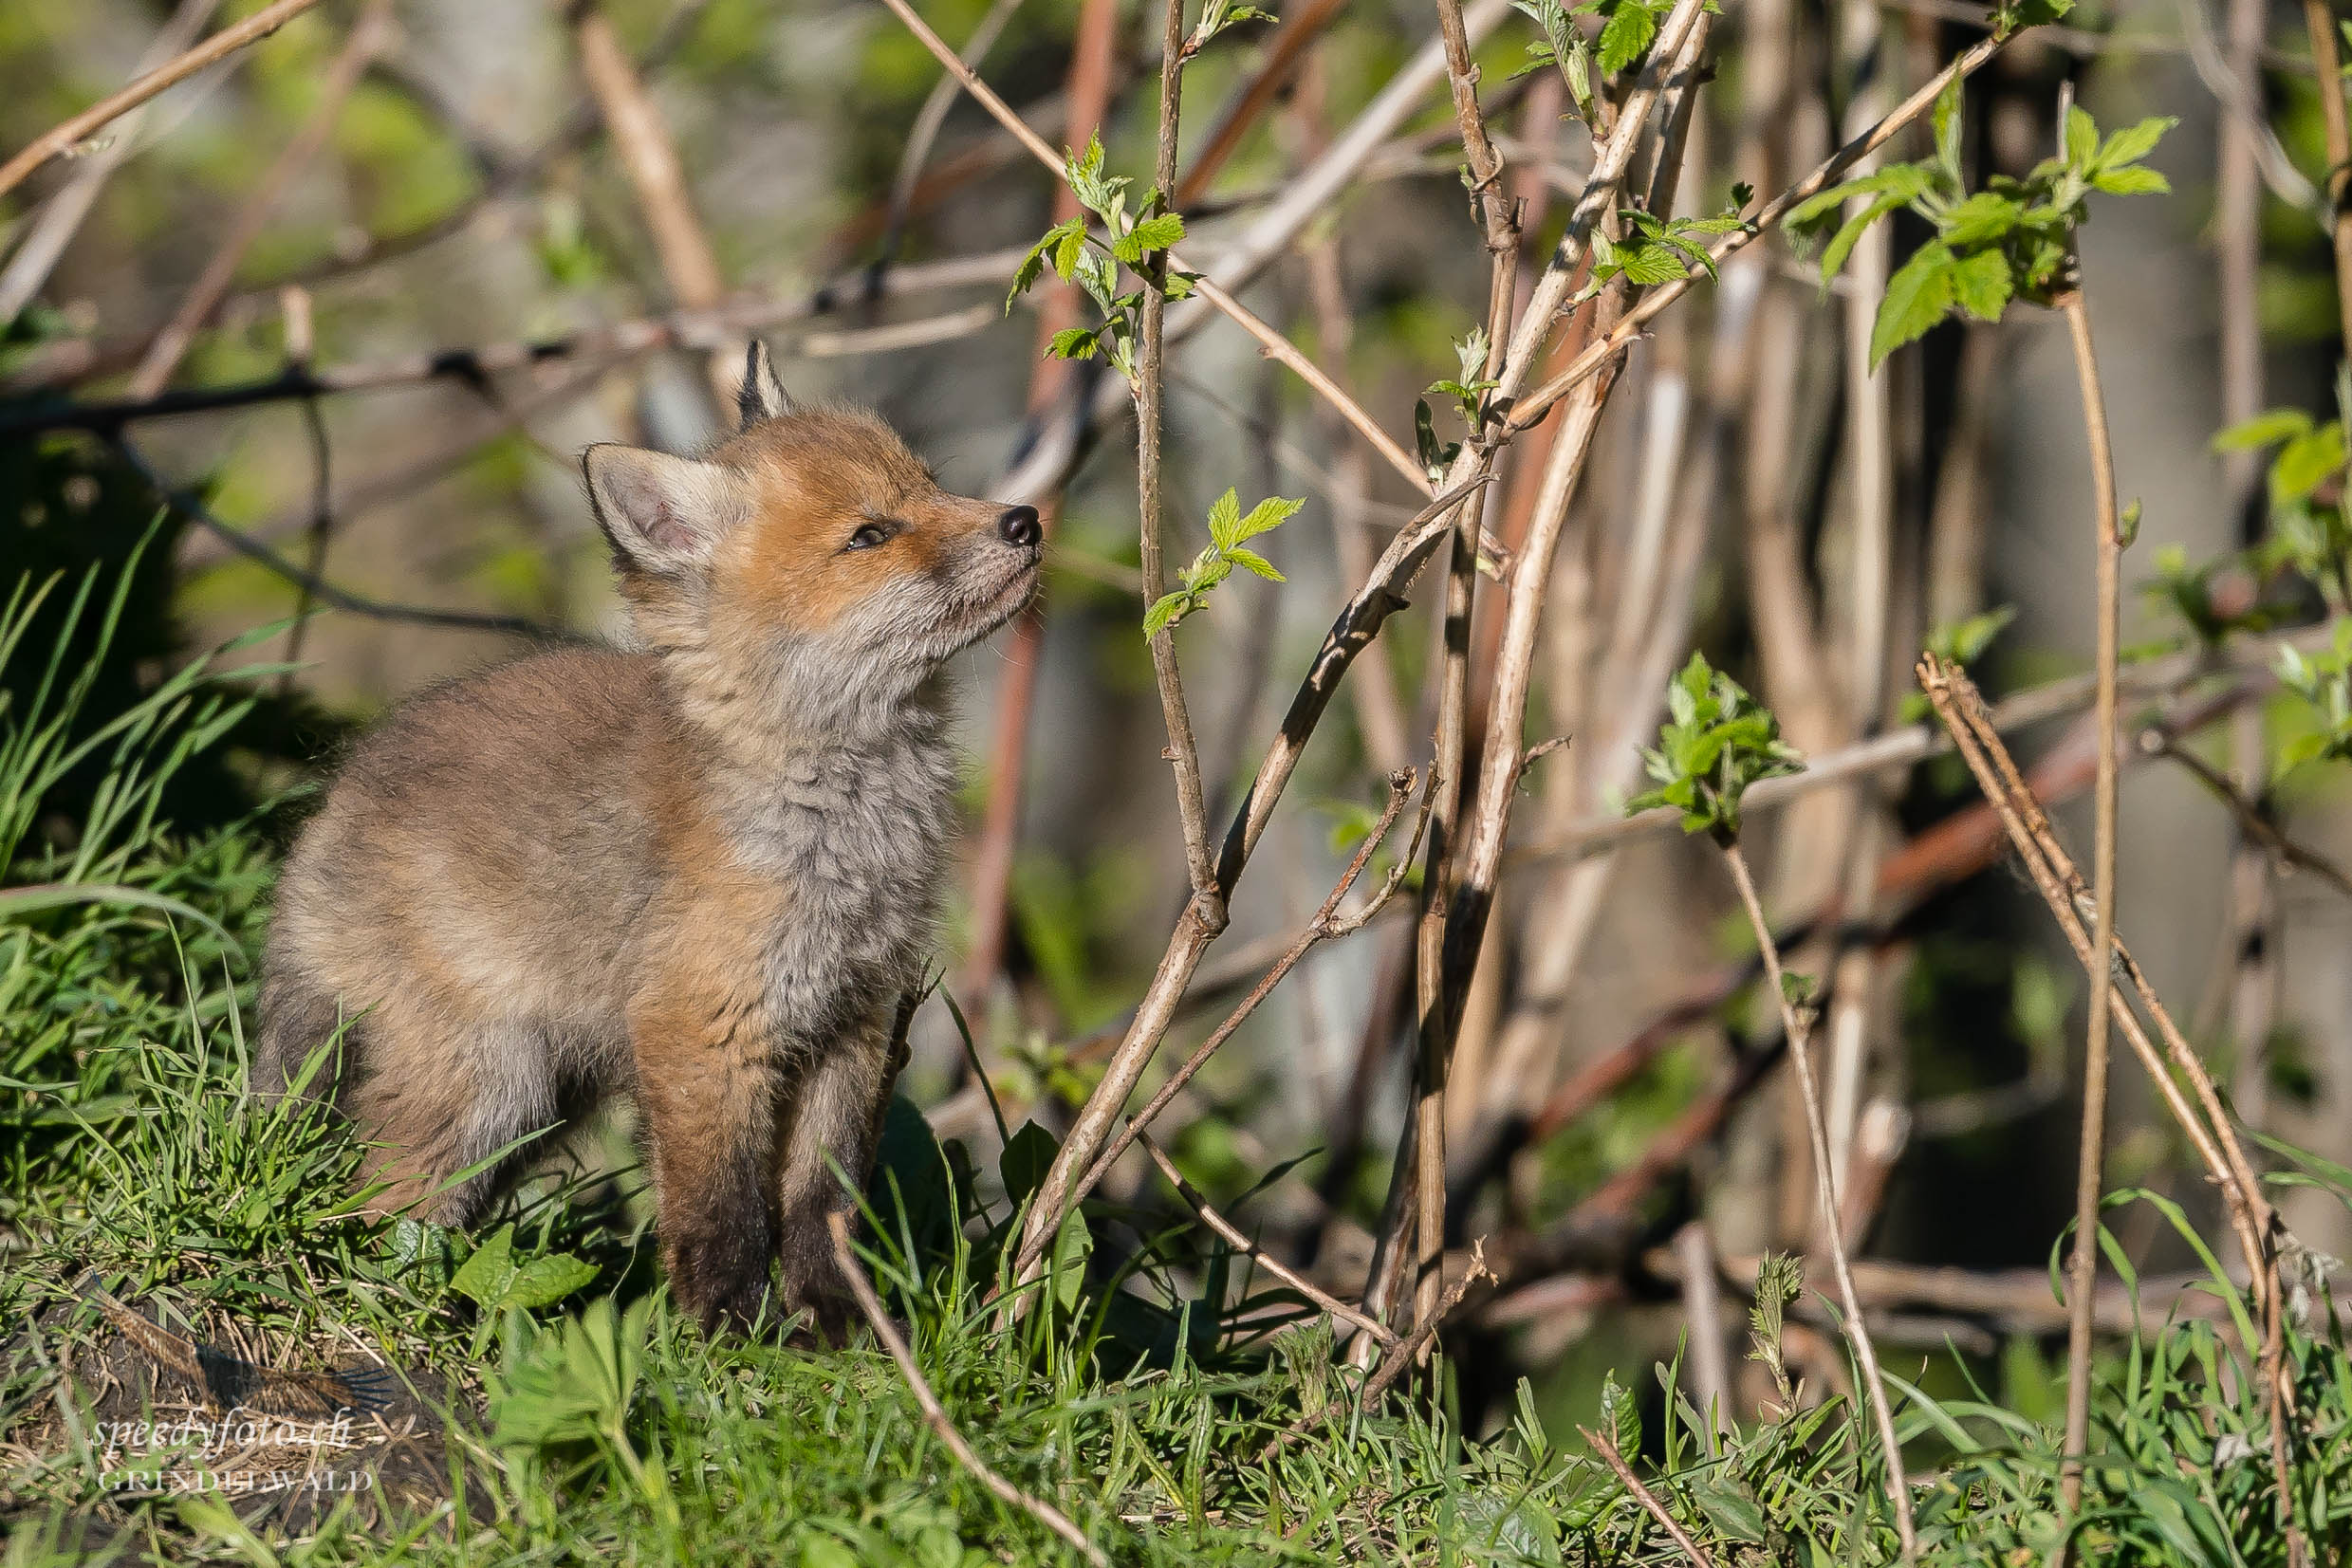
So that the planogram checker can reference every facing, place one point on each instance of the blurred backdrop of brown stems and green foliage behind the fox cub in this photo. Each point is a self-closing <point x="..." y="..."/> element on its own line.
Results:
<point x="356" y="297"/>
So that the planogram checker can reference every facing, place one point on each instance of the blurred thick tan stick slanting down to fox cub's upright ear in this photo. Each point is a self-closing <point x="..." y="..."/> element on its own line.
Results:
<point x="660" y="182"/>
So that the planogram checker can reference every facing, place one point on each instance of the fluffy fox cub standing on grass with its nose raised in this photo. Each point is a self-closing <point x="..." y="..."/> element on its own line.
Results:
<point x="702" y="871"/>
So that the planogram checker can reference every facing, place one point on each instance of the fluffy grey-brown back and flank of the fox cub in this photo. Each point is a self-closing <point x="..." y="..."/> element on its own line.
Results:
<point x="493" y="843"/>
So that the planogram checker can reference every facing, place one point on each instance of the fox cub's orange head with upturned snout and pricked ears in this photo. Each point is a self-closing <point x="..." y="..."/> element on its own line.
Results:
<point x="810" y="547"/>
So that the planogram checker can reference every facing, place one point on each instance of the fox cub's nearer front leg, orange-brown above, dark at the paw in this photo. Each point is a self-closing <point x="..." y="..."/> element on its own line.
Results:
<point x="707" y="1090"/>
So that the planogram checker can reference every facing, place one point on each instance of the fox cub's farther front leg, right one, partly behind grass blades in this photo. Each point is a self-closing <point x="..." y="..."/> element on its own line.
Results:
<point x="834" y="1118"/>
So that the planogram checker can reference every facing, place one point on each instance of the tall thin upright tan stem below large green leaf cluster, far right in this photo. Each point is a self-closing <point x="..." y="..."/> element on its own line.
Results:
<point x="2090" y="1172"/>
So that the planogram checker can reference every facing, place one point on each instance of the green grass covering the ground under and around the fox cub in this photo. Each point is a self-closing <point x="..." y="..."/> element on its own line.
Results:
<point x="589" y="1423"/>
